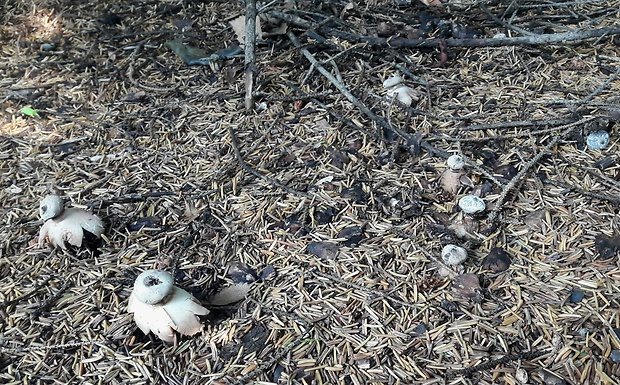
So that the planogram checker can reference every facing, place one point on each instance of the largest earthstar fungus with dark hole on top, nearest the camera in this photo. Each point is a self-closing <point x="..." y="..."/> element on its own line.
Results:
<point x="160" y="307"/>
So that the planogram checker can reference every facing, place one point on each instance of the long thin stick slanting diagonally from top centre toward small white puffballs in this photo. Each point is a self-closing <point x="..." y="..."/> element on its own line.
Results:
<point x="357" y="103"/>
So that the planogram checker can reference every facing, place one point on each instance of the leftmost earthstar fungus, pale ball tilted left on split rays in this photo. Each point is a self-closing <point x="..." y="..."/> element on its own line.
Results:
<point x="64" y="226"/>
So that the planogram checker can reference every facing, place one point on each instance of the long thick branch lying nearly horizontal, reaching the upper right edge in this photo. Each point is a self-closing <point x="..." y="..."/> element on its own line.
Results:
<point x="535" y="40"/>
